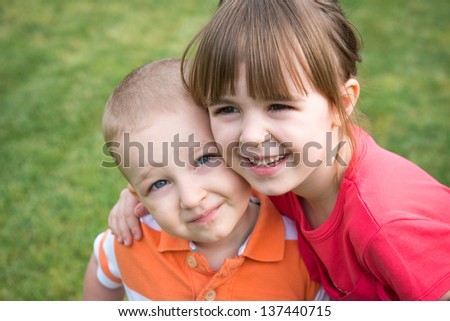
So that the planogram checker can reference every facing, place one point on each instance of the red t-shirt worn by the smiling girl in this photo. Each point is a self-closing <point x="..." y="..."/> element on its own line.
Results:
<point x="388" y="237"/>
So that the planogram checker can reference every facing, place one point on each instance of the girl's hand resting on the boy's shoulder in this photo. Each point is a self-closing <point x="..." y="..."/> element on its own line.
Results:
<point x="123" y="218"/>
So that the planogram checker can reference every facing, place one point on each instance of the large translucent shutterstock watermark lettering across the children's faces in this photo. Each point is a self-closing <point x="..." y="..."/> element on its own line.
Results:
<point x="250" y="152"/>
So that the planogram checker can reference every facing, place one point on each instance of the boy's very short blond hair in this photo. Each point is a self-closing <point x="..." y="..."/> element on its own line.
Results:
<point x="146" y="92"/>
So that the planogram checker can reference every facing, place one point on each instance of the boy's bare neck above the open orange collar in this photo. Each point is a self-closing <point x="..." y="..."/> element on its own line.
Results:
<point x="216" y="252"/>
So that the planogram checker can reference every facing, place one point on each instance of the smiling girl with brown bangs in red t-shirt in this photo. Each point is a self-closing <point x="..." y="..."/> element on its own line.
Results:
<point x="279" y="81"/>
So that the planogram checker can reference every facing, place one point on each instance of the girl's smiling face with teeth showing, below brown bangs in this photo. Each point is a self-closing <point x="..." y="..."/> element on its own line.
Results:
<point x="284" y="145"/>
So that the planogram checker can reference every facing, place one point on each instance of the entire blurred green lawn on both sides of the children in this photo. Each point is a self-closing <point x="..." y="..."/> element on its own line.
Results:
<point x="59" y="61"/>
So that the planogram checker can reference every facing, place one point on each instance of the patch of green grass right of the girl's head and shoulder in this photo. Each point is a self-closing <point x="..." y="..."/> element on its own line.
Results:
<point x="406" y="61"/>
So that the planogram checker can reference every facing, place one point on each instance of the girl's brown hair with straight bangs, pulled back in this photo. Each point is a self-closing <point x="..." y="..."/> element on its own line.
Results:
<point x="270" y="36"/>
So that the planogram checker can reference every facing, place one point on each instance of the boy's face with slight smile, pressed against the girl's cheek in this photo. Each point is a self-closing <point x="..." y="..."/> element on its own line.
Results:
<point x="184" y="182"/>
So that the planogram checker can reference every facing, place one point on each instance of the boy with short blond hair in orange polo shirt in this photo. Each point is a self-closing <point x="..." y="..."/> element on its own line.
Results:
<point x="207" y="237"/>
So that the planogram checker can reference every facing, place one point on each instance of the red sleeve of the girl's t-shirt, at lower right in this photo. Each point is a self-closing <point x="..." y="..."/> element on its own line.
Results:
<point x="413" y="257"/>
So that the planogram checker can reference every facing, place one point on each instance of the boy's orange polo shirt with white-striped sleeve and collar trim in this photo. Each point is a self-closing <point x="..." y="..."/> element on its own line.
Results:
<point x="162" y="267"/>
